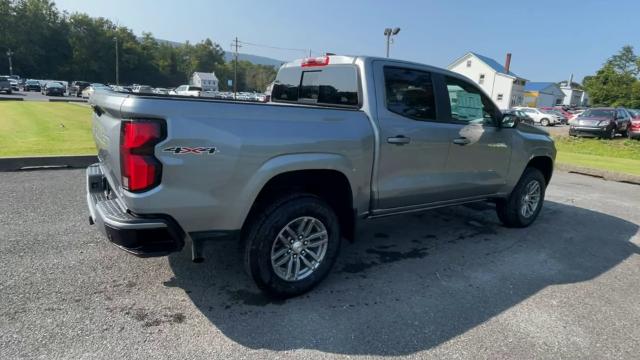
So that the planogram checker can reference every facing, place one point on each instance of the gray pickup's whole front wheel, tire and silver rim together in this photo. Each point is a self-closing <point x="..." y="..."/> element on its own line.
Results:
<point x="524" y="203"/>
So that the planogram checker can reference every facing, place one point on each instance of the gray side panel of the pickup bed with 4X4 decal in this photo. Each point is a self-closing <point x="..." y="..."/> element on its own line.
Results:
<point x="254" y="143"/>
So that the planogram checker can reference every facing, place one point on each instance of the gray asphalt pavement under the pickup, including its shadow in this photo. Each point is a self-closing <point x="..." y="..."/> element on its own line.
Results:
<point x="449" y="283"/>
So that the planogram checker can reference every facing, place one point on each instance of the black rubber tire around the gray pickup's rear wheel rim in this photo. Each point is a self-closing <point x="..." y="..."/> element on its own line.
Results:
<point x="262" y="232"/>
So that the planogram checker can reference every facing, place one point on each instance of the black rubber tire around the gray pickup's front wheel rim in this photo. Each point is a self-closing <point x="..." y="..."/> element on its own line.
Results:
<point x="509" y="209"/>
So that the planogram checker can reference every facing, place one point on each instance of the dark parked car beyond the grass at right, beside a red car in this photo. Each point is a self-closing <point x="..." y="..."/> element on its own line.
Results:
<point x="602" y="123"/>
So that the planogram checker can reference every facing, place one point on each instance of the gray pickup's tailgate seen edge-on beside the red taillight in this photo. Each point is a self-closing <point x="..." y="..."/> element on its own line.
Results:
<point x="106" y="132"/>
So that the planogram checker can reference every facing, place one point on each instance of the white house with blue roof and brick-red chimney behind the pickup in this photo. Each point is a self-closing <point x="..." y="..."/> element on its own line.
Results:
<point x="505" y="88"/>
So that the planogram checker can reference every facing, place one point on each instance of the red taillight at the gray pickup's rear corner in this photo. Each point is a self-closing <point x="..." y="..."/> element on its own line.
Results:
<point x="139" y="168"/>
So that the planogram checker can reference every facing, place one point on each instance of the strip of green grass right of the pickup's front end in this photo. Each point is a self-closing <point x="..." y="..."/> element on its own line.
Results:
<point x="618" y="155"/>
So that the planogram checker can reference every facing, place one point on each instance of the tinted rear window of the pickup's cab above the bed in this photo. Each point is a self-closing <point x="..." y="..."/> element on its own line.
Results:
<point x="330" y="85"/>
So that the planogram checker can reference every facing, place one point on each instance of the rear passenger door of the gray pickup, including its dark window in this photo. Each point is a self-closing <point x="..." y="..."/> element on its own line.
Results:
<point x="414" y="136"/>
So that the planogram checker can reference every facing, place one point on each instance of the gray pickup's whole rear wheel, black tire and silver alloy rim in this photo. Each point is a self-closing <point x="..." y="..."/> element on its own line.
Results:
<point x="291" y="245"/>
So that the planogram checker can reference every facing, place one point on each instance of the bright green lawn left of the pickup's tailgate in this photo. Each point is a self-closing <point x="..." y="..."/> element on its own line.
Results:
<point x="42" y="128"/>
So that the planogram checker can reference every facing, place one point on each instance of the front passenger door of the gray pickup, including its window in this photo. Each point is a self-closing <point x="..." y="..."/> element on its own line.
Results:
<point x="480" y="152"/>
